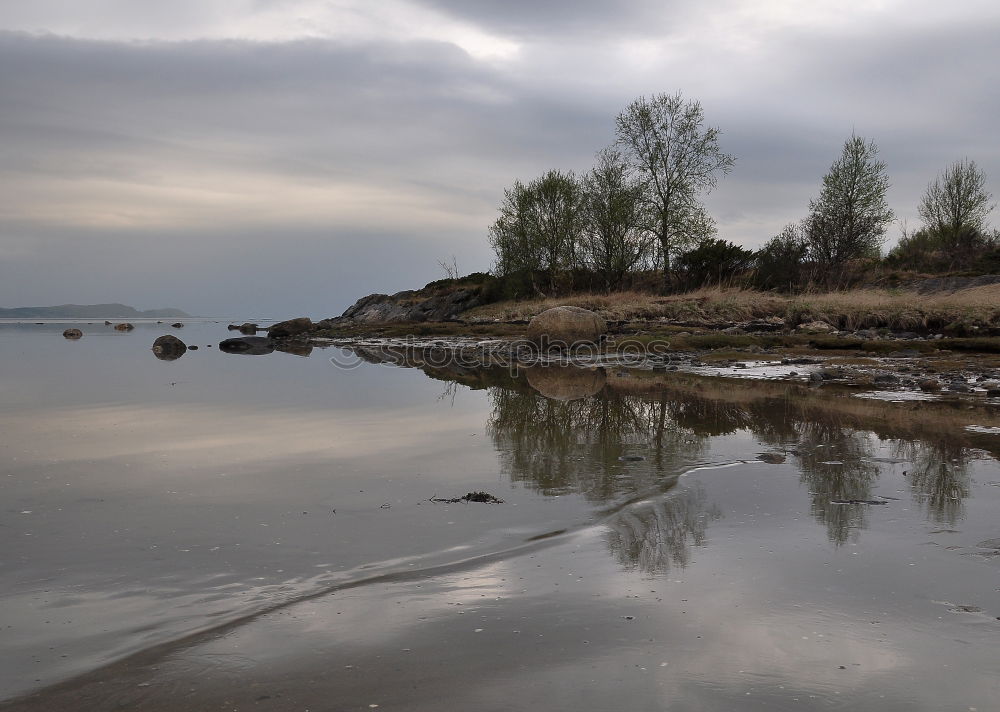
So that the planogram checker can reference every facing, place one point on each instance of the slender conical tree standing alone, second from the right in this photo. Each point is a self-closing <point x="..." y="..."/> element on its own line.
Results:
<point x="849" y="218"/>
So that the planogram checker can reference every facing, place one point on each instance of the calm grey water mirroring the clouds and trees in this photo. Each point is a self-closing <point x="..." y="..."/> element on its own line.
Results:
<point x="697" y="545"/>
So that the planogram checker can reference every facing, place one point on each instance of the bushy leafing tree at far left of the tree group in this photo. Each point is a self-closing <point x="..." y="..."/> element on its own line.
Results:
<point x="538" y="232"/>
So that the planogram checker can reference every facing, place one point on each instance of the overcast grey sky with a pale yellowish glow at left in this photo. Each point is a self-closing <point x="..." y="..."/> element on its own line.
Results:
<point x="279" y="158"/>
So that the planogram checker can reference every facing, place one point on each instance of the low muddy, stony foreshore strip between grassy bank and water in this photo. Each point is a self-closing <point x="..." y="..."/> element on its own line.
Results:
<point x="932" y="369"/>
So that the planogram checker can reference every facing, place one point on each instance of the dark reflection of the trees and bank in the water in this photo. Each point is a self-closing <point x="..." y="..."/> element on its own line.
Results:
<point x="616" y="437"/>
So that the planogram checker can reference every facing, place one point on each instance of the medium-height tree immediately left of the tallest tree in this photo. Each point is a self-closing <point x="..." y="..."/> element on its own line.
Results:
<point x="615" y="238"/>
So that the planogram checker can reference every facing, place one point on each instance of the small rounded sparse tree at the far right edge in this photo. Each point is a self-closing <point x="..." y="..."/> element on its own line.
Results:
<point x="954" y="207"/>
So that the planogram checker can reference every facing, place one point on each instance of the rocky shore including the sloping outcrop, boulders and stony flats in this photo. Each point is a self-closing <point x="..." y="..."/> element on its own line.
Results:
<point x="447" y="328"/>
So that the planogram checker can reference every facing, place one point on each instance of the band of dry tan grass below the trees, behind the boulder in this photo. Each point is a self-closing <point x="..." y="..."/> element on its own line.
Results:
<point x="959" y="313"/>
